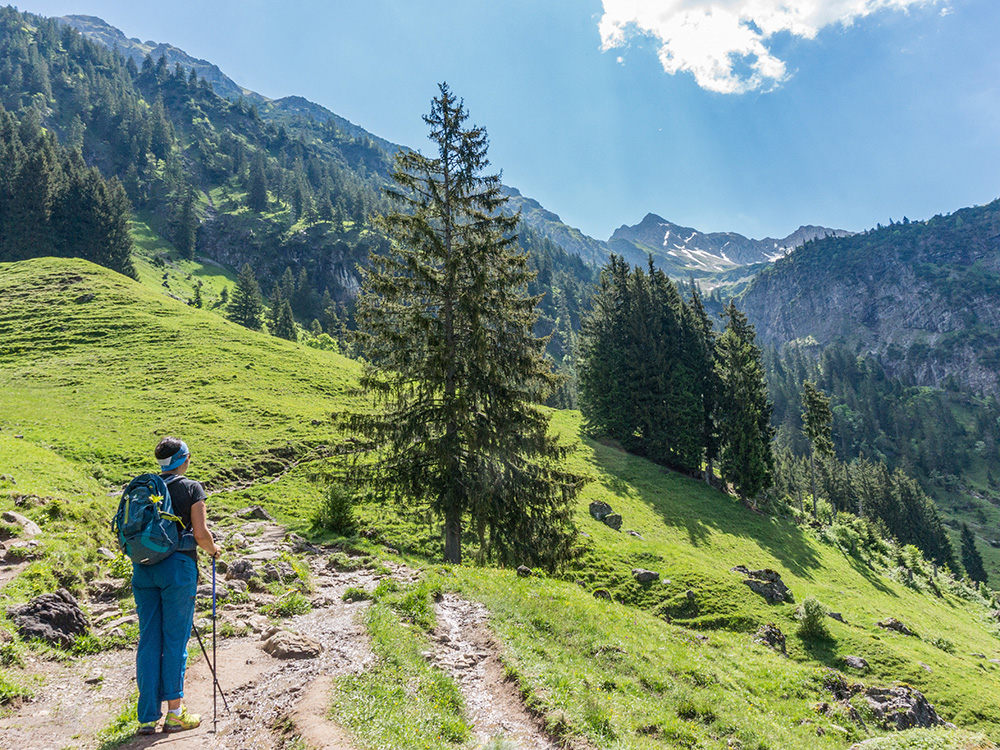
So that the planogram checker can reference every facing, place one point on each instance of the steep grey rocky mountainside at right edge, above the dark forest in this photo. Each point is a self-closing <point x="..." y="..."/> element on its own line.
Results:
<point x="892" y="293"/>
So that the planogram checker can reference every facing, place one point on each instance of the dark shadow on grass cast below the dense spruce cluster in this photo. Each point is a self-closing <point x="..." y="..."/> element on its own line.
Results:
<point x="689" y="504"/>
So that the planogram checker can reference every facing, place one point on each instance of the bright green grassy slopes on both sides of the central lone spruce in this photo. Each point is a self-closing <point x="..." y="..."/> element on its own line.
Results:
<point x="95" y="367"/>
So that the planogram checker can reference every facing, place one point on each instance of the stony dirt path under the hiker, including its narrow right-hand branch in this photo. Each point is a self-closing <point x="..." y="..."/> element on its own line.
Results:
<point x="276" y="679"/>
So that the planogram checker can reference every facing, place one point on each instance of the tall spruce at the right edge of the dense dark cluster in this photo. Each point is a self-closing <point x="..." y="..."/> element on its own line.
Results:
<point x="746" y="462"/>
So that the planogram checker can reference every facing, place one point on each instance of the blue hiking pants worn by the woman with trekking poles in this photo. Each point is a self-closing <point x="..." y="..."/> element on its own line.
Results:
<point x="164" y="601"/>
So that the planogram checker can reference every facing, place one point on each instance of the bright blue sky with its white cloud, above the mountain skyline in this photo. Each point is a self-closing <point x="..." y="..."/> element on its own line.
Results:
<point x="827" y="118"/>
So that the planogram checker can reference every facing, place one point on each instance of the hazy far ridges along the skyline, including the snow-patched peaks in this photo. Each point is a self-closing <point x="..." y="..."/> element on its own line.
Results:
<point x="680" y="251"/>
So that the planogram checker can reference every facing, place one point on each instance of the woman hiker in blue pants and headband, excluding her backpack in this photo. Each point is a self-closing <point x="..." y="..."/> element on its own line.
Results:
<point x="164" y="600"/>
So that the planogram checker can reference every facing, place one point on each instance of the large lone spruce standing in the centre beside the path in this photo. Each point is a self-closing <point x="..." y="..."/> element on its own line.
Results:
<point x="453" y="365"/>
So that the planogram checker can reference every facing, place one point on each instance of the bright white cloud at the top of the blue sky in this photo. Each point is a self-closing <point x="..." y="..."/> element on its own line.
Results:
<point x="723" y="43"/>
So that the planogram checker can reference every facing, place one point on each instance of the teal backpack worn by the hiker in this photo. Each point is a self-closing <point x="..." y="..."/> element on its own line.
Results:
<point x="148" y="531"/>
